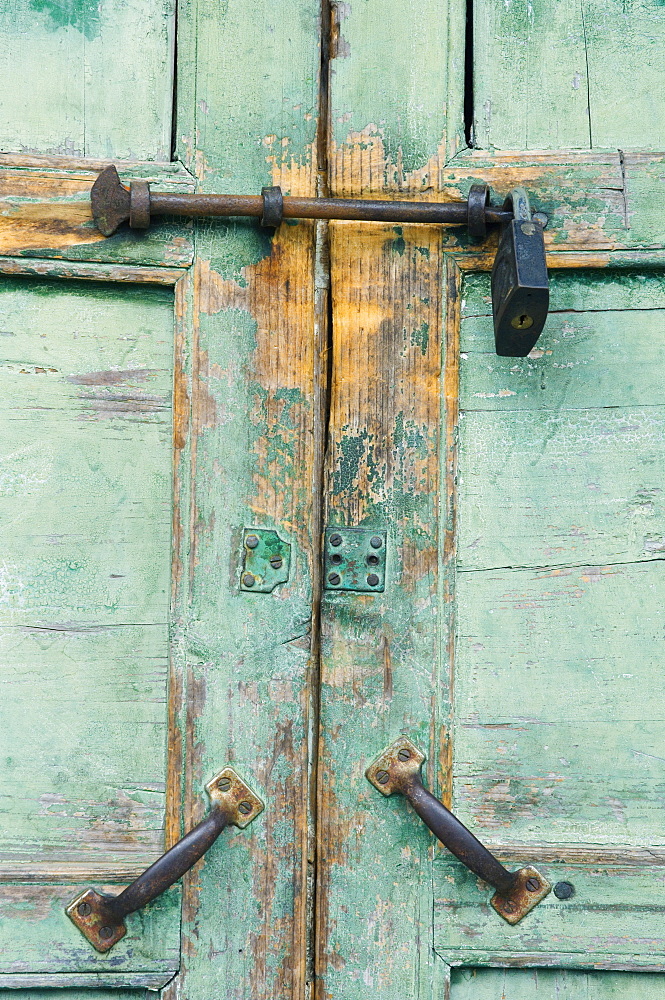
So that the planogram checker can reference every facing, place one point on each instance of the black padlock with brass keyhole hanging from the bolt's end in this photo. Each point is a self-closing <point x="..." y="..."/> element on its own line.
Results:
<point x="520" y="286"/>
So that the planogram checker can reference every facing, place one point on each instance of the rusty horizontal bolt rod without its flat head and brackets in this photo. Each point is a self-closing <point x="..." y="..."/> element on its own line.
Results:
<point x="350" y="209"/>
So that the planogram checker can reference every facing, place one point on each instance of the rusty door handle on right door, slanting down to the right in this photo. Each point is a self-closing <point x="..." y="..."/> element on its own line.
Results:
<point x="397" y="769"/>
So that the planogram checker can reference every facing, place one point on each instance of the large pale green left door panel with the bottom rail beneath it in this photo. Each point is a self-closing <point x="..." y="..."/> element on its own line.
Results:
<point x="86" y="471"/>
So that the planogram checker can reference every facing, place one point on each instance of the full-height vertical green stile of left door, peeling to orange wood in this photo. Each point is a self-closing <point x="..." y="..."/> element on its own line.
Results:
<point x="248" y="117"/>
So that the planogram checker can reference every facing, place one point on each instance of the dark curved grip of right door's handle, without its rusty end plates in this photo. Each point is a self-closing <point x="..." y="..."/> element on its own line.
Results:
<point x="455" y="836"/>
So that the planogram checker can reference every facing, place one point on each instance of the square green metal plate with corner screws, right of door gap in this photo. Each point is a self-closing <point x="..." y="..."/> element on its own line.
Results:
<point x="355" y="559"/>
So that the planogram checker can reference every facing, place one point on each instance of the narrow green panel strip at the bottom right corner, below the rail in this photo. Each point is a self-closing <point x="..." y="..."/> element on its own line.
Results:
<point x="552" y="984"/>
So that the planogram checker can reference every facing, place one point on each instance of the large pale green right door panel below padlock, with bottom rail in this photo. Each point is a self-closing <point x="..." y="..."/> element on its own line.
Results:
<point x="558" y="733"/>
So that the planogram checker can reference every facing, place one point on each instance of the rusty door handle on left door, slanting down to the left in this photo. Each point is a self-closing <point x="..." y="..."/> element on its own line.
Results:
<point x="101" y="918"/>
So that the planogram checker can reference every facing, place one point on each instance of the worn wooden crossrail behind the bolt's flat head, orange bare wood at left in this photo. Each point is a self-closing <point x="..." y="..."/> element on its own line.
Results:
<point x="45" y="212"/>
